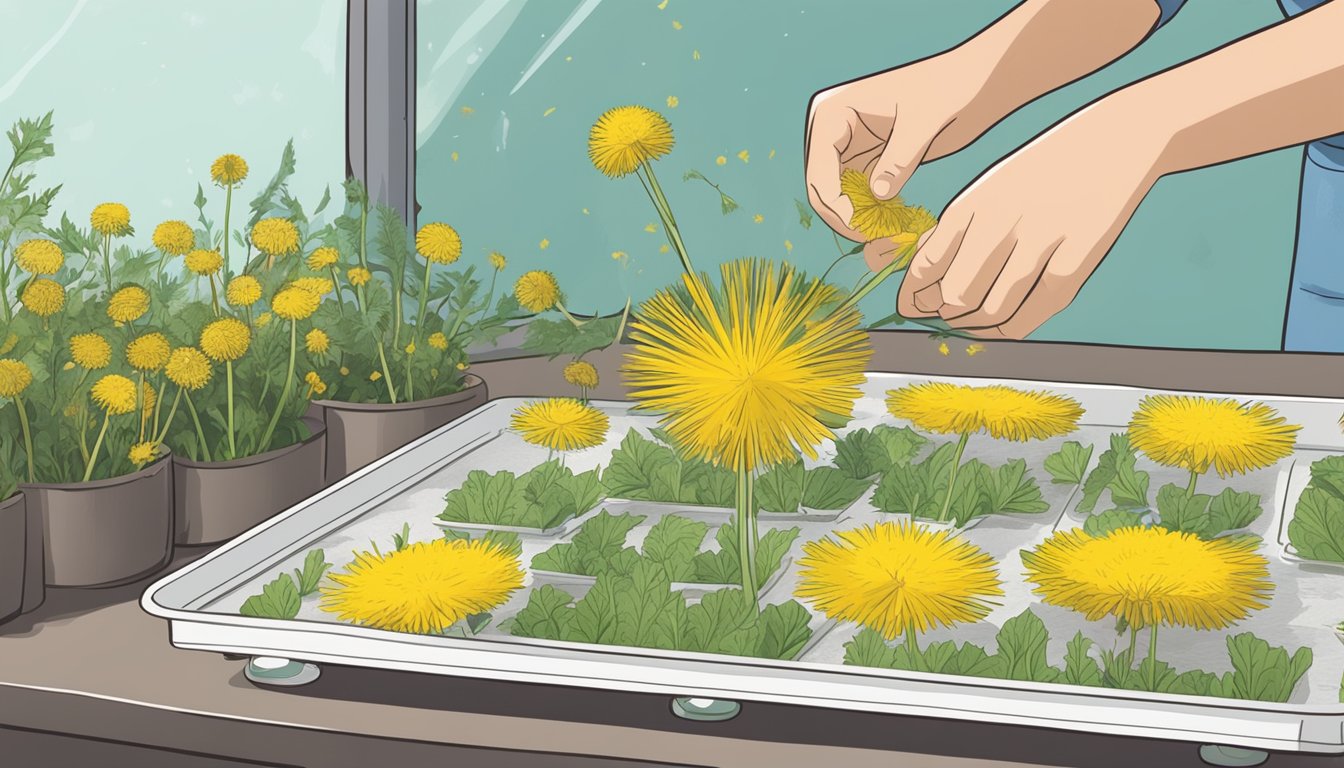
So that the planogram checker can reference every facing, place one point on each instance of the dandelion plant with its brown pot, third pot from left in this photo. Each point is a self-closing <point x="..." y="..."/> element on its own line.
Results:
<point x="243" y="369"/>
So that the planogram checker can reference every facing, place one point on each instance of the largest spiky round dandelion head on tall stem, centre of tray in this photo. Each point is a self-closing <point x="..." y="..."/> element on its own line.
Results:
<point x="740" y="375"/>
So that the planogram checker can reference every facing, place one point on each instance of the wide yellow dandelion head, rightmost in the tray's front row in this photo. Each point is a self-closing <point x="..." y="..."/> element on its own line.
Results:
<point x="1151" y="576"/>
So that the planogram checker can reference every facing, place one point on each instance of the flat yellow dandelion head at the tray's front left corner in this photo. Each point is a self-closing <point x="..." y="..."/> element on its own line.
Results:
<point x="425" y="588"/>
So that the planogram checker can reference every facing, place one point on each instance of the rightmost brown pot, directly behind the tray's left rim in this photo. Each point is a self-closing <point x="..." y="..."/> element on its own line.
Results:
<point x="360" y="434"/>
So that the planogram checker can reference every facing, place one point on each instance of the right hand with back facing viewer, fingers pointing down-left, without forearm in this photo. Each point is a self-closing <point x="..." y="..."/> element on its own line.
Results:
<point x="1017" y="245"/>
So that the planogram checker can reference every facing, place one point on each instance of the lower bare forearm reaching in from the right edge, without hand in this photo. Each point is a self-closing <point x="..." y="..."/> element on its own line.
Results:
<point x="1273" y="89"/>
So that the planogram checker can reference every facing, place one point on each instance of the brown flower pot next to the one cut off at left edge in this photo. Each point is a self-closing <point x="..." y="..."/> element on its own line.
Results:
<point x="106" y="533"/>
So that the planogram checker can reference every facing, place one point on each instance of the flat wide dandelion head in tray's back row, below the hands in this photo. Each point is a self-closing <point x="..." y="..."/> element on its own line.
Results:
<point x="1003" y="412"/>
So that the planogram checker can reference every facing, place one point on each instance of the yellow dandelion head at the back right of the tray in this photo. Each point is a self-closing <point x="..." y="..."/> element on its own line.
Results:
<point x="1198" y="434"/>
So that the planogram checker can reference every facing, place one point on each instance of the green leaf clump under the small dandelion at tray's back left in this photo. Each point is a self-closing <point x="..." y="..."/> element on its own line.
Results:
<point x="541" y="498"/>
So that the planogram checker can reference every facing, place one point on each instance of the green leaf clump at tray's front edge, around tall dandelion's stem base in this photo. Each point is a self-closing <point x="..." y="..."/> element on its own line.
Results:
<point x="640" y="610"/>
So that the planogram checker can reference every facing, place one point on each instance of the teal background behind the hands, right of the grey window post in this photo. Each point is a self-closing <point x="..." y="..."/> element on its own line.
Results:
<point x="1205" y="263"/>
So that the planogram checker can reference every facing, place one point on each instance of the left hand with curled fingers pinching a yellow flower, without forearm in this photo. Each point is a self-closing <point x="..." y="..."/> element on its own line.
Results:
<point x="885" y="126"/>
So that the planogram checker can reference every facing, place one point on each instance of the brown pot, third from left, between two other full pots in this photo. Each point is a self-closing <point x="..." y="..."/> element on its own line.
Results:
<point x="217" y="501"/>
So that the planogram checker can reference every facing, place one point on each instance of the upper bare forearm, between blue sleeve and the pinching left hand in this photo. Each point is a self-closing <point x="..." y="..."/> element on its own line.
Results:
<point x="1044" y="45"/>
